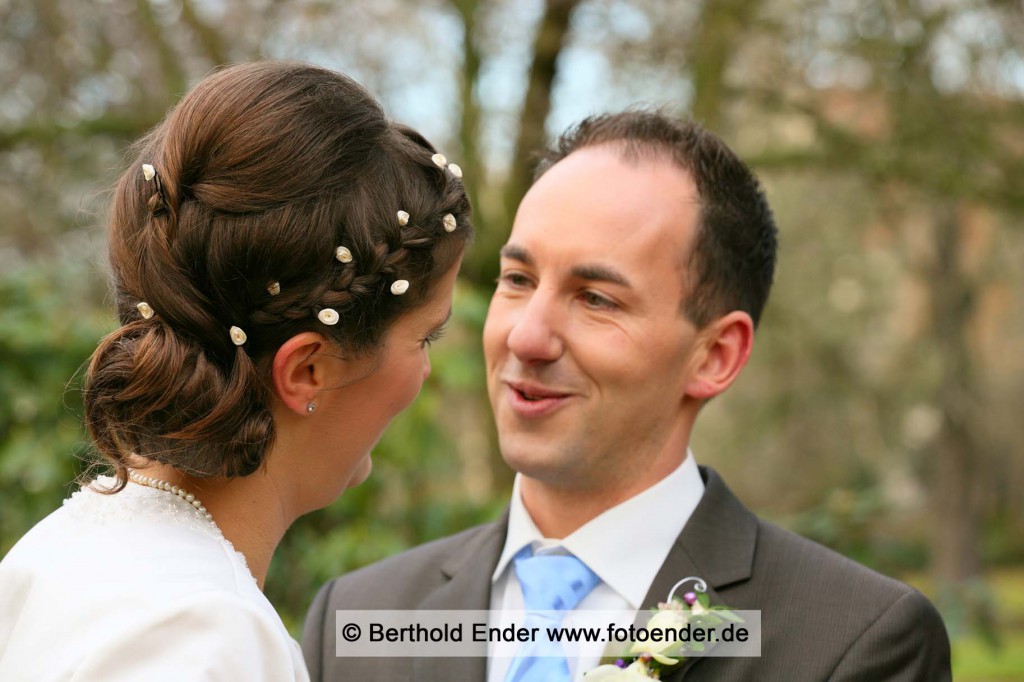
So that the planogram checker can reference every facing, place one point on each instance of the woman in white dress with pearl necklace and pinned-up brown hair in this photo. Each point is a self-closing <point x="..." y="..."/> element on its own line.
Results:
<point x="283" y="257"/>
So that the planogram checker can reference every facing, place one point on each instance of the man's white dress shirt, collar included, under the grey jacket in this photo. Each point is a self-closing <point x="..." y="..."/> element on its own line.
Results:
<point x="625" y="546"/>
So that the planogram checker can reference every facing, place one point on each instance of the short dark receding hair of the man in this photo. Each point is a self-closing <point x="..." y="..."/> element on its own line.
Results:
<point x="733" y="263"/>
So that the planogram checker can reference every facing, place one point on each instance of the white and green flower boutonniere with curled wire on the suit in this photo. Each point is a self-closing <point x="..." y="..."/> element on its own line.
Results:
<point x="661" y="647"/>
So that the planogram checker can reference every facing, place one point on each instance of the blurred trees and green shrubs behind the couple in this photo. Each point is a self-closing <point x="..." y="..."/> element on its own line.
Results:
<point x="882" y="411"/>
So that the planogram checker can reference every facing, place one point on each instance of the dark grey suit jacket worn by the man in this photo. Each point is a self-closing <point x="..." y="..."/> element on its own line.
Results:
<point x="824" y="617"/>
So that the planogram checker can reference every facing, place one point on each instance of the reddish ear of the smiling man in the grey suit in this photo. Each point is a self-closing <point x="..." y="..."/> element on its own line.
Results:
<point x="723" y="350"/>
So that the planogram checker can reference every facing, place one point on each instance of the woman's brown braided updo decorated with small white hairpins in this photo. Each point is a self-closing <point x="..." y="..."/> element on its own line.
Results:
<point x="263" y="172"/>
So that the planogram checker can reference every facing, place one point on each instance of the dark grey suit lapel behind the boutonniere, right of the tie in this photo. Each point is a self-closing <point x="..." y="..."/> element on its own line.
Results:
<point x="717" y="545"/>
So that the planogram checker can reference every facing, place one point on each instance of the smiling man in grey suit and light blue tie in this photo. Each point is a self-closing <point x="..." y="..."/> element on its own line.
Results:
<point x="631" y="285"/>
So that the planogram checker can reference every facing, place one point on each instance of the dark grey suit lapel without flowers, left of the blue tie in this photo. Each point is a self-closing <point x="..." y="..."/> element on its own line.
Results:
<point x="467" y="587"/>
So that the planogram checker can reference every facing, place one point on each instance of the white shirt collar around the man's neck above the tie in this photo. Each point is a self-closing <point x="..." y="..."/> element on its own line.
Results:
<point x="625" y="546"/>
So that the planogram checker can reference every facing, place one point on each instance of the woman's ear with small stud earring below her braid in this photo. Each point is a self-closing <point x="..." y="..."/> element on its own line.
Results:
<point x="304" y="367"/>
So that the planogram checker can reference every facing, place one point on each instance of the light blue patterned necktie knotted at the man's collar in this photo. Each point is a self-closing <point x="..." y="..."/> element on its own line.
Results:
<point x="550" y="583"/>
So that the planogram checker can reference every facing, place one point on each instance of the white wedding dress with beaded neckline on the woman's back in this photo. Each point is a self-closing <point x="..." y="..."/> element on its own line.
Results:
<point x="137" y="586"/>
